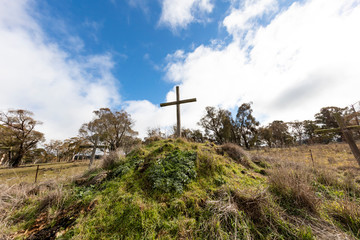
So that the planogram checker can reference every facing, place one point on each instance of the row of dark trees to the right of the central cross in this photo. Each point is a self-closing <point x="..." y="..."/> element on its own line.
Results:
<point x="220" y="126"/>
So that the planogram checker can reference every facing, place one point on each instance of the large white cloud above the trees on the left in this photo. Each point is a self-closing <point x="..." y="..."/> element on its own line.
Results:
<point x="37" y="75"/>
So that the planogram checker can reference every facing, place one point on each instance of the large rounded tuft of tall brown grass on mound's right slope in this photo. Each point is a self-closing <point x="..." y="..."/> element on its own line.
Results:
<point x="292" y="184"/>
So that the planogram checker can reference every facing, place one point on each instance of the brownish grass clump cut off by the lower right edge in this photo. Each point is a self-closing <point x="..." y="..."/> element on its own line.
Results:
<point x="347" y="214"/>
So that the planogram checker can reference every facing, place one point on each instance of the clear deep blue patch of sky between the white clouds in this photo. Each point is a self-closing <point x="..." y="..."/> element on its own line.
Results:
<point x="132" y="34"/>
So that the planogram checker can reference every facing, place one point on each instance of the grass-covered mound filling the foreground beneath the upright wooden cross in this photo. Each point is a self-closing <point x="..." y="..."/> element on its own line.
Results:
<point x="174" y="189"/>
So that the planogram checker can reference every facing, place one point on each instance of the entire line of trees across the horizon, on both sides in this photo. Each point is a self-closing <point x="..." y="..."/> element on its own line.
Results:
<point x="19" y="141"/>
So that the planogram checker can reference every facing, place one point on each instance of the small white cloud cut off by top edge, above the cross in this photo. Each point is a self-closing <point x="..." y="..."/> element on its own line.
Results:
<point x="179" y="14"/>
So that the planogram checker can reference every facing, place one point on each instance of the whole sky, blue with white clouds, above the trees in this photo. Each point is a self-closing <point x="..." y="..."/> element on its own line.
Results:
<point x="64" y="59"/>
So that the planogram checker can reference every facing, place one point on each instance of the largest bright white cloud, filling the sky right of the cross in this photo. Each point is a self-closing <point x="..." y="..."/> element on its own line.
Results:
<point x="306" y="58"/>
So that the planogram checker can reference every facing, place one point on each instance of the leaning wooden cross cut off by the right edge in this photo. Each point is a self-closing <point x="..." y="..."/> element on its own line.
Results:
<point x="346" y="131"/>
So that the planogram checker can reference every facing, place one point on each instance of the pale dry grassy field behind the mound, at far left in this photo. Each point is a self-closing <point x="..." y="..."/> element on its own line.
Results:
<point x="47" y="171"/>
